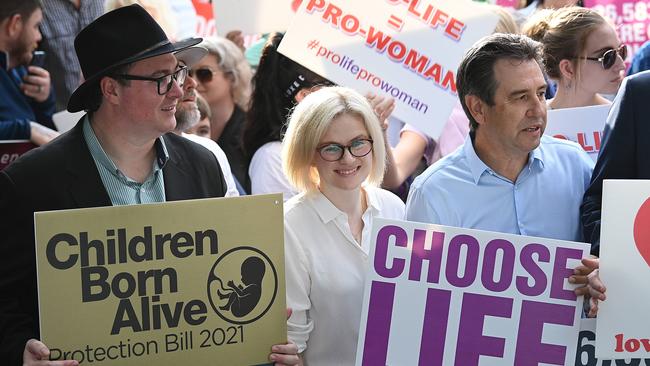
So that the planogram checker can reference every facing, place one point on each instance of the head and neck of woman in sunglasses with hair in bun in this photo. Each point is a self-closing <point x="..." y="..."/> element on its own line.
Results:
<point x="582" y="54"/>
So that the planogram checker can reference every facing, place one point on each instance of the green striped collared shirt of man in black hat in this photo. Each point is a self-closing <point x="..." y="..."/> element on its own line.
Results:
<point x="121" y="189"/>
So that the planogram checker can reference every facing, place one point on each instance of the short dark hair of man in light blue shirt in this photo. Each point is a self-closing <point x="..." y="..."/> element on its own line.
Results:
<point x="475" y="74"/>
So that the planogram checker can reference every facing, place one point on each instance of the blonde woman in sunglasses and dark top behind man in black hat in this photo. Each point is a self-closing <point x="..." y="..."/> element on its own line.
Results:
<point x="223" y="79"/>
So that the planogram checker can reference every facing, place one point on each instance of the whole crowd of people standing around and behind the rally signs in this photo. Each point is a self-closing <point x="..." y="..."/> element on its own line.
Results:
<point x="170" y="118"/>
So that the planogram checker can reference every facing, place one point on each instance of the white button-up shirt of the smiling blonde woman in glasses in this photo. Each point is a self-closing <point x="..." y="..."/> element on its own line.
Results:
<point x="325" y="272"/>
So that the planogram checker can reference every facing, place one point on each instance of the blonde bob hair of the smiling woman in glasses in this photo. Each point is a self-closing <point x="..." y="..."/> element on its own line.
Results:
<point x="308" y="123"/>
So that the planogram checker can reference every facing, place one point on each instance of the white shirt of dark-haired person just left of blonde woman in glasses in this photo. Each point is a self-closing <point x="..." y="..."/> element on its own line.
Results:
<point x="266" y="171"/>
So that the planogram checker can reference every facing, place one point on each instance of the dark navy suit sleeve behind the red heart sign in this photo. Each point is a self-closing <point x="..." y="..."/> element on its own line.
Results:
<point x="617" y="159"/>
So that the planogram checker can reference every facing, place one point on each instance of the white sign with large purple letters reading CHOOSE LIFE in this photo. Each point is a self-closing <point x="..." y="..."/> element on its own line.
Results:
<point x="438" y="295"/>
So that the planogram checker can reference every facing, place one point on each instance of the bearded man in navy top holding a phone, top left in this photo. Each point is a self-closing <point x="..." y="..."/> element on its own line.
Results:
<point x="26" y="101"/>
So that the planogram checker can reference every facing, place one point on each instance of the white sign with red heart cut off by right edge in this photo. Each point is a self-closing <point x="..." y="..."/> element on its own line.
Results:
<point x="623" y="327"/>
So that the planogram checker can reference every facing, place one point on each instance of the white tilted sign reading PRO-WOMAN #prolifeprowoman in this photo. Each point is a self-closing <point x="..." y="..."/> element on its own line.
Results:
<point x="409" y="50"/>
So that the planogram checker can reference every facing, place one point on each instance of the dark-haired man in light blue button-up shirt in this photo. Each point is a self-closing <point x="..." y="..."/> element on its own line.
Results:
<point x="507" y="177"/>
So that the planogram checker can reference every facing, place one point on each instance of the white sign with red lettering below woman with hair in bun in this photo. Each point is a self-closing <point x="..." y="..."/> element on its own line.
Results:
<point x="583" y="125"/>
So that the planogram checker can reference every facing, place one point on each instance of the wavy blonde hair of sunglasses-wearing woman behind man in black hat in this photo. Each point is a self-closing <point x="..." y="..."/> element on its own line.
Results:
<point x="232" y="62"/>
